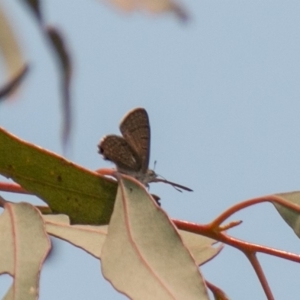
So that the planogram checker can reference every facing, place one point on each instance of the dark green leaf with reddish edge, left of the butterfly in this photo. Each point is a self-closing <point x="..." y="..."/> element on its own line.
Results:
<point x="84" y="196"/>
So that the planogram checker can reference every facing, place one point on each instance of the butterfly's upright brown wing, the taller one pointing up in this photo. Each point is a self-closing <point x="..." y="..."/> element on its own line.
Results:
<point x="135" y="128"/>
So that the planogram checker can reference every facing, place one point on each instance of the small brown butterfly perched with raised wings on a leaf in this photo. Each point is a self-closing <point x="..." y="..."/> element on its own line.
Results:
<point x="131" y="152"/>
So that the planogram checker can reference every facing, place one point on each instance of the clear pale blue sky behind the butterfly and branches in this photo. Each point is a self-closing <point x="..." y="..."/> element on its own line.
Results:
<point x="223" y="96"/>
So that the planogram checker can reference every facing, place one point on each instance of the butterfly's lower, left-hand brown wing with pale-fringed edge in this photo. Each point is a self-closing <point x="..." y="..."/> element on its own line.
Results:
<point x="117" y="150"/>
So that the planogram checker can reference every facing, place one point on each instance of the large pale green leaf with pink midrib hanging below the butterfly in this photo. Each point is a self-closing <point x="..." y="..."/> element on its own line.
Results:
<point x="143" y="255"/>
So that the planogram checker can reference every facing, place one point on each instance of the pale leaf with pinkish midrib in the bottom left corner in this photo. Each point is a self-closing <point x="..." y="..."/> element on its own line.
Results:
<point x="24" y="247"/>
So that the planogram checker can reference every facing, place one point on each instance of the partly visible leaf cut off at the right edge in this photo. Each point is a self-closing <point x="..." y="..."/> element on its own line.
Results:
<point x="292" y="217"/>
